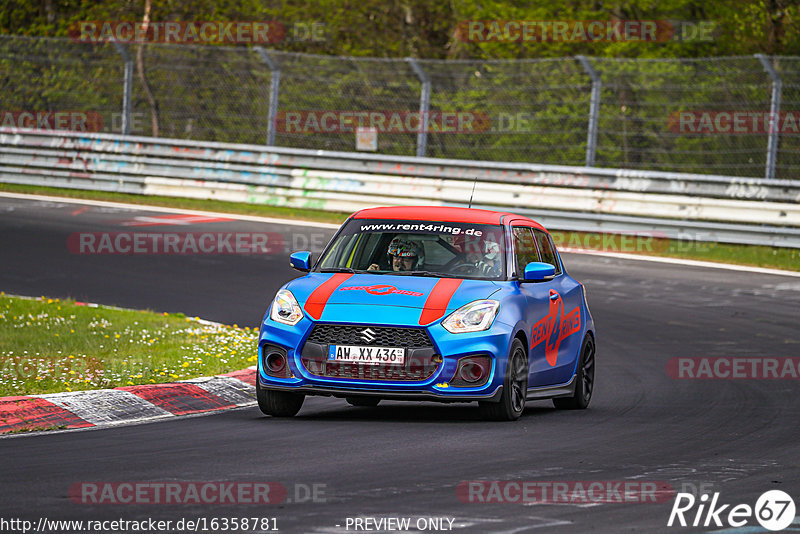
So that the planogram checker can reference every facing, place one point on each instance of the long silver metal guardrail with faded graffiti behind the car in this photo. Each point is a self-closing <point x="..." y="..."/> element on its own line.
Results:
<point x="675" y="205"/>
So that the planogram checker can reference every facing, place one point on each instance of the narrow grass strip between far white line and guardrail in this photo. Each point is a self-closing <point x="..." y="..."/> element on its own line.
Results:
<point x="752" y="255"/>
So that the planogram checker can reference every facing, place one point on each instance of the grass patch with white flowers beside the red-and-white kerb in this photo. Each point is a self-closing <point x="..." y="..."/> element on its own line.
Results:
<point x="50" y="345"/>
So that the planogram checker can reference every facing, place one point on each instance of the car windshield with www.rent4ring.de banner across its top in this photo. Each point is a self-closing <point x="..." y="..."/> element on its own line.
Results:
<point x="422" y="248"/>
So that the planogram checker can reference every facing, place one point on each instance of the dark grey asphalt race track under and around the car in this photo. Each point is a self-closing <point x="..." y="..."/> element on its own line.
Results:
<point x="735" y="437"/>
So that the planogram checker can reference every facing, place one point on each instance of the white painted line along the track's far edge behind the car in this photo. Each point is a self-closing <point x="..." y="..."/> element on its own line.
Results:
<point x="293" y="222"/>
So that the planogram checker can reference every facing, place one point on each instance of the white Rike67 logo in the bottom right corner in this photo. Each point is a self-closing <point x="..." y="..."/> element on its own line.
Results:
<point x="774" y="510"/>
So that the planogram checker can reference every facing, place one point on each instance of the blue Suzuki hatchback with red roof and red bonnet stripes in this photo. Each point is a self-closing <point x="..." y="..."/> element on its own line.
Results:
<point x="430" y="303"/>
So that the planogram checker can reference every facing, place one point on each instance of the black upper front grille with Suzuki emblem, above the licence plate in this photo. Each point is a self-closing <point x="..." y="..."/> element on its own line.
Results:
<point x="378" y="336"/>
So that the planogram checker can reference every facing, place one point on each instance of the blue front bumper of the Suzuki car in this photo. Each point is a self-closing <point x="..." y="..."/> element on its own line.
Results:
<point x="447" y="349"/>
